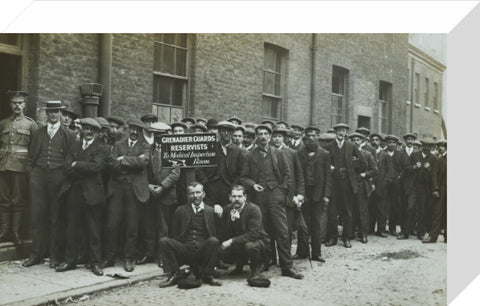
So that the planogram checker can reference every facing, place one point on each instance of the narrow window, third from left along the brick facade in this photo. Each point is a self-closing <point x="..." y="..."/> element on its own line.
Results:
<point x="338" y="95"/>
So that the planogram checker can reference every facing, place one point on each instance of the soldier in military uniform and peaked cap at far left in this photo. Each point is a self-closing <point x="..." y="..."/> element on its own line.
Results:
<point x="15" y="133"/>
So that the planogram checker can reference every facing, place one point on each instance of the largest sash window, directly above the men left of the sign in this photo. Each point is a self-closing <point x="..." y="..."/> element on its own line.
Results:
<point x="170" y="76"/>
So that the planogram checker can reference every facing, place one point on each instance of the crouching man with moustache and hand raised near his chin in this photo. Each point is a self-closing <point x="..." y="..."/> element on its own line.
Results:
<point x="246" y="239"/>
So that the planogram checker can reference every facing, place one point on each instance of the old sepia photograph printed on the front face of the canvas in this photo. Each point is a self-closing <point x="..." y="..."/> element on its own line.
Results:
<point x="252" y="168"/>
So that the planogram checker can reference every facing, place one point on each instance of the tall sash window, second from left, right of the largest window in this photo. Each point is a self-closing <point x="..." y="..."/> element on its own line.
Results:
<point x="275" y="63"/>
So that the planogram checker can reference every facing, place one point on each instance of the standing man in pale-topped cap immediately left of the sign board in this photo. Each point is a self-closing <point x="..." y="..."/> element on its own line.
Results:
<point x="159" y="209"/>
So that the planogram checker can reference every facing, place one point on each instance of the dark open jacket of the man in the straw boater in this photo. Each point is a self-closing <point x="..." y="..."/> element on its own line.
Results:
<point x="41" y="135"/>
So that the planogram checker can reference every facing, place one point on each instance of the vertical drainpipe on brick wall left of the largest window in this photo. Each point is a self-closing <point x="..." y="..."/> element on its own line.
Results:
<point x="105" y="74"/>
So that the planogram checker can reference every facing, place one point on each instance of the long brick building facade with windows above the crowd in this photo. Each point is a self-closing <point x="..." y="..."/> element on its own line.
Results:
<point x="361" y="79"/>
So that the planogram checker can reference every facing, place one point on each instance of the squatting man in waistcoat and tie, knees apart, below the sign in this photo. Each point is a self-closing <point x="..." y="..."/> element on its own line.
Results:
<point x="193" y="239"/>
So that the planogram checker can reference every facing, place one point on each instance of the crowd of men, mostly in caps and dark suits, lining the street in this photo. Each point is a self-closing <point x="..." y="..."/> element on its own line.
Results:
<point x="98" y="191"/>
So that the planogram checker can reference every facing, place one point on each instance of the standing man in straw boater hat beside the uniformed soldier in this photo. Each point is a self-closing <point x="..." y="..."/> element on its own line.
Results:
<point x="48" y="151"/>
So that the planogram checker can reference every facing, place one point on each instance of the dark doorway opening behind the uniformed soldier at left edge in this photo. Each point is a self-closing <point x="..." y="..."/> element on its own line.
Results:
<point x="9" y="80"/>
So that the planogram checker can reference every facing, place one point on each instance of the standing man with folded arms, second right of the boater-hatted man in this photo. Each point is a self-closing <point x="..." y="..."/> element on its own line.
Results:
<point x="127" y="189"/>
